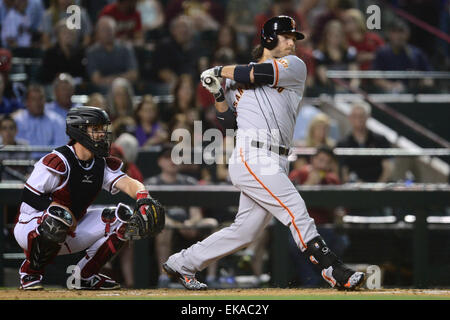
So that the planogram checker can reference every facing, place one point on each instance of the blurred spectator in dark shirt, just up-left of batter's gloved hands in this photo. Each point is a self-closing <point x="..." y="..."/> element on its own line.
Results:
<point x="177" y="54"/>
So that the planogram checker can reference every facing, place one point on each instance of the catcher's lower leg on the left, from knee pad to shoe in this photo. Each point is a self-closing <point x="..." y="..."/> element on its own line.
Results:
<point x="44" y="244"/>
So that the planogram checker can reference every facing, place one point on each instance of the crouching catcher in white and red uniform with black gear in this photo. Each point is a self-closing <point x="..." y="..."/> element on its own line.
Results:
<point x="55" y="217"/>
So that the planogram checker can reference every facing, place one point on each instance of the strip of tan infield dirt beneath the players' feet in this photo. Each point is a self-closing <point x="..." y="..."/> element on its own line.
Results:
<point x="238" y="294"/>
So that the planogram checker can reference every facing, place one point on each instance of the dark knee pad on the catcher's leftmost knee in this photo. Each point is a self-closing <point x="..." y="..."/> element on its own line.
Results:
<point x="56" y="224"/>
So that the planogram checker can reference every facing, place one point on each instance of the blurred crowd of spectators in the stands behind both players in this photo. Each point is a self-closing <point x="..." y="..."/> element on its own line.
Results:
<point x="141" y="59"/>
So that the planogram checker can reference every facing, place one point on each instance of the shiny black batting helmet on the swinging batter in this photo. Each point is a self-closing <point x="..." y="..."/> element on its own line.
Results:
<point x="278" y="25"/>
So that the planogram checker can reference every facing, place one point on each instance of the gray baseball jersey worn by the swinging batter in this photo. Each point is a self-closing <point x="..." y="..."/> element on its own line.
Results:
<point x="274" y="107"/>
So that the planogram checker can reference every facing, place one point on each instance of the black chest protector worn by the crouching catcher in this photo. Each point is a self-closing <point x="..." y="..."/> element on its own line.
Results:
<point x="82" y="185"/>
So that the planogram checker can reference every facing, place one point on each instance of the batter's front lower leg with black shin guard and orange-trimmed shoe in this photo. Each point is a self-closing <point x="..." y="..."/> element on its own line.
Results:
<point x="333" y="271"/>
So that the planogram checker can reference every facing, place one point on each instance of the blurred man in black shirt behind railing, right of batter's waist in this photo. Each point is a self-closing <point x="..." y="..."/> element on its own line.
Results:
<point x="364" y="168"/>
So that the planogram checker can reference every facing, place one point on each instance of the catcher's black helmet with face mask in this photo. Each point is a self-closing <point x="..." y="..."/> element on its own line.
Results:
<point x="77" y="121"/>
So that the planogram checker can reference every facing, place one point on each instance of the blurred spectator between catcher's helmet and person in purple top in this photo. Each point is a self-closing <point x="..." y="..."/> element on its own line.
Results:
<point x="121" y="106"/>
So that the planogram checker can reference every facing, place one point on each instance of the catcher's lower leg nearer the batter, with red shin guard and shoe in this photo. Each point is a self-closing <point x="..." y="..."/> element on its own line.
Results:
<point x="103" y="250"/>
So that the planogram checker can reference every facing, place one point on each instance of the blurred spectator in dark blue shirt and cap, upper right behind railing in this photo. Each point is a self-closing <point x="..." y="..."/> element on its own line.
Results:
<point x="399" y="55"/>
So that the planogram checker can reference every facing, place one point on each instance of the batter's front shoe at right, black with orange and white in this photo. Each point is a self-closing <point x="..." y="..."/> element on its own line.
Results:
<point x="343" y="278"/>
